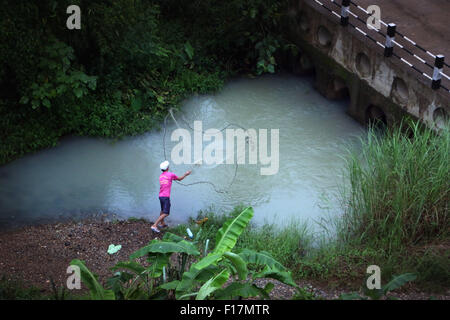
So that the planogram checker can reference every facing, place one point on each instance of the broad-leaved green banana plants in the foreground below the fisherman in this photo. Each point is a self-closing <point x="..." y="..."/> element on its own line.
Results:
<point x="175" y="267"/>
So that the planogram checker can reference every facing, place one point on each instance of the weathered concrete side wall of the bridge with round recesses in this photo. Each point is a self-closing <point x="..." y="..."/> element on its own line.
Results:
<point x="346" y="61"/>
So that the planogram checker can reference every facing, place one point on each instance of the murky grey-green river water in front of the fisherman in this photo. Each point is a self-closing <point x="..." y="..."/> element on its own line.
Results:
<point x="85" y="176"/>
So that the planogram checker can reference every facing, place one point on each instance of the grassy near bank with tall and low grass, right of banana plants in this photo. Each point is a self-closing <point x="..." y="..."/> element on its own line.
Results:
<point x="395" y="216"/>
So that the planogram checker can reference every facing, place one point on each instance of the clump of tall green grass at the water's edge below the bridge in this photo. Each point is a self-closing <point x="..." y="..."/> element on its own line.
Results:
<point x="399" y="188"/>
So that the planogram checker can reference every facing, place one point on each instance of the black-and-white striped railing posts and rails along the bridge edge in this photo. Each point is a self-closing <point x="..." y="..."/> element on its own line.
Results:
<point x="387" y="41"/>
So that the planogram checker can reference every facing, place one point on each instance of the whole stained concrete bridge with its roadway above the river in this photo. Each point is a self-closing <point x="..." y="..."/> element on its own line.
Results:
<point x="349" y="61"/>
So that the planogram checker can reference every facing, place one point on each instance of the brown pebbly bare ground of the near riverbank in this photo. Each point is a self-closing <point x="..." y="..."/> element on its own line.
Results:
<point x="39" y="255"/>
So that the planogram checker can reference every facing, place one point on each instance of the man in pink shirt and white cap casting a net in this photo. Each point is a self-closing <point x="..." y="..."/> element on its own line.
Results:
<point x="165" y="184"/>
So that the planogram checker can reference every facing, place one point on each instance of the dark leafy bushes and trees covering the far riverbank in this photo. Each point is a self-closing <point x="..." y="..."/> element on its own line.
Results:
<point x="130" y="62"/>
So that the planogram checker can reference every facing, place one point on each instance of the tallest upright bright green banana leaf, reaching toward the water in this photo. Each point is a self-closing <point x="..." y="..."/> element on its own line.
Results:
<point x="227" y="235"/>
